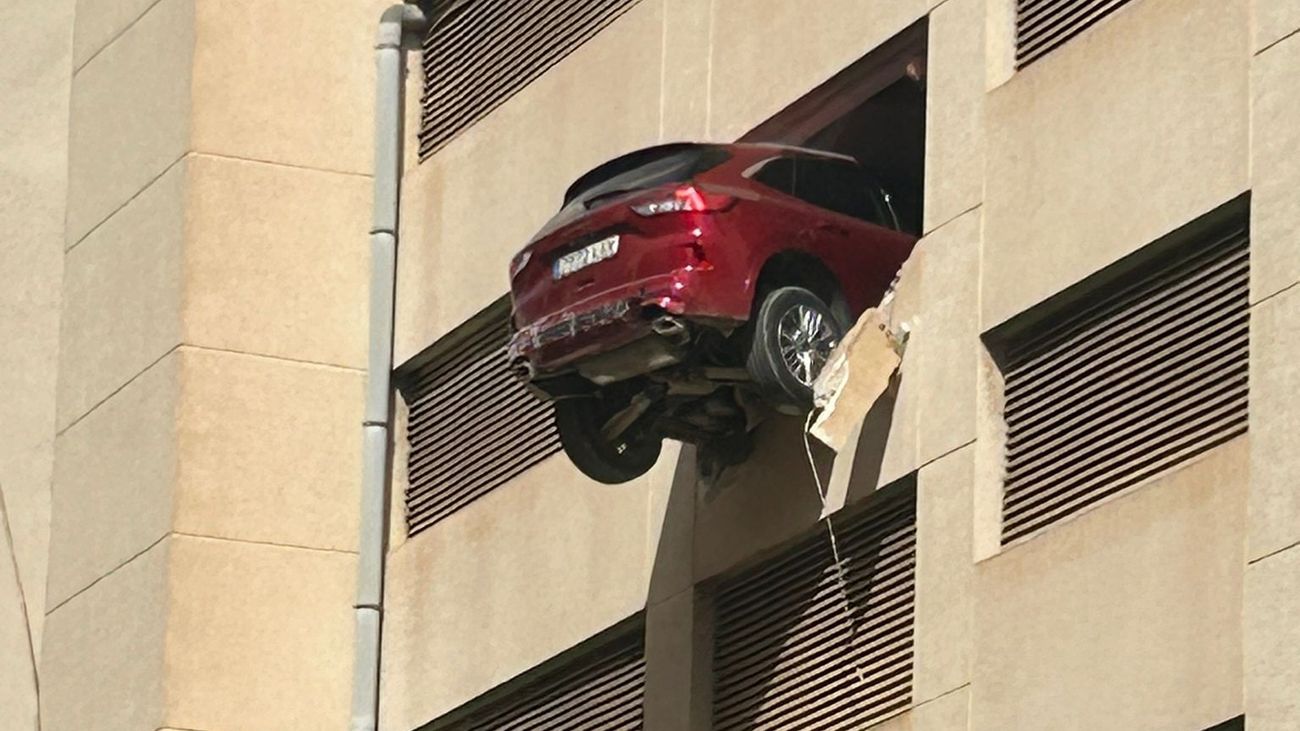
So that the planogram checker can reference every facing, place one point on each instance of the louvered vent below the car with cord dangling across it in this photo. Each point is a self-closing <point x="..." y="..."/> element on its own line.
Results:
<point x="791" y="654"/>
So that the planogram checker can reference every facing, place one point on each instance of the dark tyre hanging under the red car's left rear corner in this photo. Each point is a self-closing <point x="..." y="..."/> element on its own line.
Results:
<point x="626" y="459"/>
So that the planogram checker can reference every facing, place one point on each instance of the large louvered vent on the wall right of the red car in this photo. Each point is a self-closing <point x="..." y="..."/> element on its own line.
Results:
<point x="1147" y="374"/>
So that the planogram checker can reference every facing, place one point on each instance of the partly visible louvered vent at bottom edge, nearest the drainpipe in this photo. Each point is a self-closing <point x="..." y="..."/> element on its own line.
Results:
<point x="601" y="693"/>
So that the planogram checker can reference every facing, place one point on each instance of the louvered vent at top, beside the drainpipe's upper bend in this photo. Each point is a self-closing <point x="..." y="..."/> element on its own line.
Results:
<point x="484" y="51"/>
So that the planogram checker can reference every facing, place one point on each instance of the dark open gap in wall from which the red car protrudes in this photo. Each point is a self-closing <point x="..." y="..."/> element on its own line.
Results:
<point x="874" y="111"/>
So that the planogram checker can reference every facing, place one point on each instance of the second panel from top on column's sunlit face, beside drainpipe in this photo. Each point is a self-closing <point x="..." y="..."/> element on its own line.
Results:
<point x="278" y="262"/>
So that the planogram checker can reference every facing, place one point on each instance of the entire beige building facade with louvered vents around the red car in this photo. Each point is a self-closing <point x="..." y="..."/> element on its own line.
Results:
<point x="1074" y="508"/>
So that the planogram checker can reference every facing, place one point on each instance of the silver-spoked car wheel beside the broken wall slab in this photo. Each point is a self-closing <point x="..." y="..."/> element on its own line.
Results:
<point x="795" y="334"/>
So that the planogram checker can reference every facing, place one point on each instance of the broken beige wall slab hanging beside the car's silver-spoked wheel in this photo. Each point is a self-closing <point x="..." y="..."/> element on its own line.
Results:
<point x="855" y="377"/>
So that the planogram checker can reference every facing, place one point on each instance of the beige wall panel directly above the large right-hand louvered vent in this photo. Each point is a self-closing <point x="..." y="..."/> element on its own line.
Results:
<point x="1124" y="135"/>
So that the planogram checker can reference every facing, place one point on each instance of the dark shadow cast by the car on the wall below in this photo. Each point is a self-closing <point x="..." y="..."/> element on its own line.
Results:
<point x="760" y="509"/>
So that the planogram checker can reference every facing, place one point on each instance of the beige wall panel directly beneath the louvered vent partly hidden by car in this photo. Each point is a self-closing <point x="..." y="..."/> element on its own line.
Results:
<point x="527" y="572"/>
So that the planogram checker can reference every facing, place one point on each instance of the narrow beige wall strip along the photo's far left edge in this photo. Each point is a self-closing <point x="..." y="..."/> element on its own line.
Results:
<point x="36" y="70"/>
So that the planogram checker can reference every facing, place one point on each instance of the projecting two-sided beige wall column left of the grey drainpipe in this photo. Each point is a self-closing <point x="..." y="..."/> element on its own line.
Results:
<point x="211" y="365"/>
